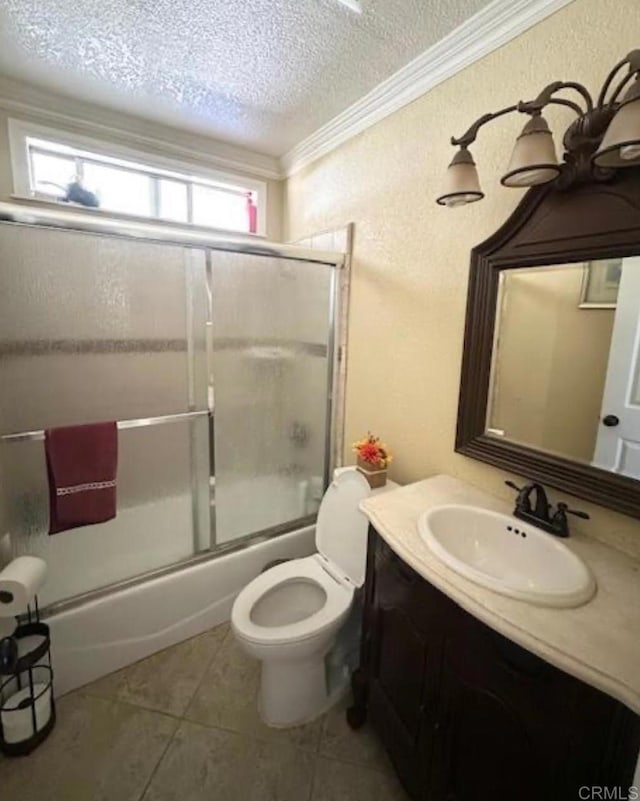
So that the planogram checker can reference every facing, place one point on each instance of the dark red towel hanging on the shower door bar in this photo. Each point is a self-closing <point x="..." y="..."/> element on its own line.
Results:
<point x="81" y="465"/>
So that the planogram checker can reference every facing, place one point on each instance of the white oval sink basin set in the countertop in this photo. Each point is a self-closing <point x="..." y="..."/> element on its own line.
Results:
<point x="506" y="555"/>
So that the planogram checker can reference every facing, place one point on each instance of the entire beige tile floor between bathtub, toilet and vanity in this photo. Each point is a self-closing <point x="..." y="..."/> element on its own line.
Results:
<point x="182" y="725"/>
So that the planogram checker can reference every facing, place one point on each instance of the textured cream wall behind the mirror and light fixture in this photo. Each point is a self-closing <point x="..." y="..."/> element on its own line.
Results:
<point x="411" y="257"/>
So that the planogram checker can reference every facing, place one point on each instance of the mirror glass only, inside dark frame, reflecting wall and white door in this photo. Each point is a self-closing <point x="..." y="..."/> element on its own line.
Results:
<point x="565" y="374"/>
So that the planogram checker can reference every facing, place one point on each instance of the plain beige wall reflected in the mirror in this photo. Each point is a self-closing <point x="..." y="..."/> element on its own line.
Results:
<point x="550" y="362"/>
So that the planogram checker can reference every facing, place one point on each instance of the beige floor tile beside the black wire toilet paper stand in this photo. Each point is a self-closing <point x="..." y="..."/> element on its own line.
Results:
<point x="100" y="750"/>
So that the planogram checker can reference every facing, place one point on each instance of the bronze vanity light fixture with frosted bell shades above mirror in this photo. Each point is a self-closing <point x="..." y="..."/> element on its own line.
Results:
<point x="604" y="137"/>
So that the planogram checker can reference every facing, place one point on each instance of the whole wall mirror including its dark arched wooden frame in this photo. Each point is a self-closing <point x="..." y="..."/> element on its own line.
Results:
<point x="550" y="379"/>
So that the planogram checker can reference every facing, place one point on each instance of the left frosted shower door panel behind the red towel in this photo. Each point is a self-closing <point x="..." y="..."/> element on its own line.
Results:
<point x="96" y="328"/>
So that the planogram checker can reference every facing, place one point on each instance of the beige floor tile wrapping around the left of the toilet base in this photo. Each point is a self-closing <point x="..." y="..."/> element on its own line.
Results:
<point x="227" y="698"/>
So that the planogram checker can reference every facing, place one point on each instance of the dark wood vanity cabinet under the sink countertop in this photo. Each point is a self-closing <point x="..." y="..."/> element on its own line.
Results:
<point x="467" y="715"/>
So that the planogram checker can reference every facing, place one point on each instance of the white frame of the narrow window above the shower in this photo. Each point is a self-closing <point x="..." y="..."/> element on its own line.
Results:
<point x="21" y="130"/>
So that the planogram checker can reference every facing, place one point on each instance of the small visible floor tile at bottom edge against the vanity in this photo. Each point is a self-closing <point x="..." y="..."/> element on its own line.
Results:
<point x="340" y="781"/>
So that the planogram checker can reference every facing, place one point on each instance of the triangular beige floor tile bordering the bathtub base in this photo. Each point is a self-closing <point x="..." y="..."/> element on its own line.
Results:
<point x="165" y="681"/>
